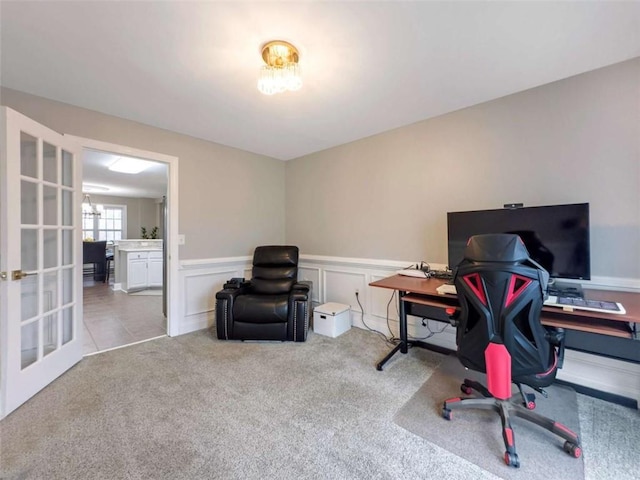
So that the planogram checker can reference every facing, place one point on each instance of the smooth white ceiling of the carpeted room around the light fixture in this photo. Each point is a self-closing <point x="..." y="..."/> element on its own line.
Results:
<point x="368" y="67"/>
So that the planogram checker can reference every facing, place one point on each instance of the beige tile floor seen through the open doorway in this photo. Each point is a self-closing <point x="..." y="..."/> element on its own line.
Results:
<point x="113" y="319"/>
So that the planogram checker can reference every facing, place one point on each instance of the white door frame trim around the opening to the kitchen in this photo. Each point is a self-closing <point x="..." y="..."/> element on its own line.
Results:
<point x="173" y="317"/>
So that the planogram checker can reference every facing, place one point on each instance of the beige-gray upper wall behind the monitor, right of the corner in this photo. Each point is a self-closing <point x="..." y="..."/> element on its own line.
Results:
<point x="572" y="141"/>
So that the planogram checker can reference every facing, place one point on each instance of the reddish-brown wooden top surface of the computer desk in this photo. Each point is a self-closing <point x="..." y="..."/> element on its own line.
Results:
<point x="428" y="286"/>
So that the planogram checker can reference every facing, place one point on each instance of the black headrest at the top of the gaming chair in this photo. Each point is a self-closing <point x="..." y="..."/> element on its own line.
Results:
<point x="496" y="247"/>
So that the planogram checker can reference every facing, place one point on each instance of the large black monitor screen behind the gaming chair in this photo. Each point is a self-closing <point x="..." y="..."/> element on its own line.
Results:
<point x="556" y="236"/>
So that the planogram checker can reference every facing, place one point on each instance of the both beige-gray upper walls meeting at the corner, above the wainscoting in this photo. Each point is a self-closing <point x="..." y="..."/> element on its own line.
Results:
<point x="386" y="197"/>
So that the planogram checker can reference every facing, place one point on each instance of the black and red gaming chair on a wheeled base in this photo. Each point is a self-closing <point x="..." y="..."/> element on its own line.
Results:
<point x="498" y="332"/>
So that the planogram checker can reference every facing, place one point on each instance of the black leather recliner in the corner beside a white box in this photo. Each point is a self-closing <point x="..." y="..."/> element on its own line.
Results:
<point x="273" y="305"/>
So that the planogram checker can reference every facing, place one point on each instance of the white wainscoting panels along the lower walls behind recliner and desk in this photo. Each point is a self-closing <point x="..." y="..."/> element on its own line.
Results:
<point x="336" y="279"/>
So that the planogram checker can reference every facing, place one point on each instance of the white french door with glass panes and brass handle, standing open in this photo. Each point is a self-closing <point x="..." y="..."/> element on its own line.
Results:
<point x="40" y="258"/>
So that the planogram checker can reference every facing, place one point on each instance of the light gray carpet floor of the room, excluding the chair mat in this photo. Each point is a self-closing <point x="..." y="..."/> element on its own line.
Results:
<point x="193" y="407"/>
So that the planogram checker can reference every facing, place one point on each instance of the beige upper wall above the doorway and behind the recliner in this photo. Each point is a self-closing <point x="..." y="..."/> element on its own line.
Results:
<point x="230" y="200"/>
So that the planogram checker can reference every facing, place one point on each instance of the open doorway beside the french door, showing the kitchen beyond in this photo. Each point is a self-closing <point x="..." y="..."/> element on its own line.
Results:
<point x="113" y="315"/>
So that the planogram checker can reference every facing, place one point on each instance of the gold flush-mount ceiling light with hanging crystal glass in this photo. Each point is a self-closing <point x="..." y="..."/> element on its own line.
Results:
<point x="281" y="72"/>
